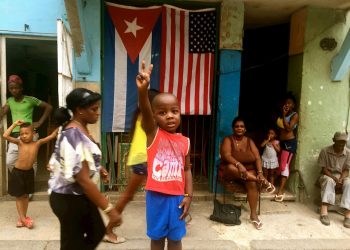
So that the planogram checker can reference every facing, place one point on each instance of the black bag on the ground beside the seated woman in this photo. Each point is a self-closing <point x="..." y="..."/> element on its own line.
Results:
<point x="226" y="213"/>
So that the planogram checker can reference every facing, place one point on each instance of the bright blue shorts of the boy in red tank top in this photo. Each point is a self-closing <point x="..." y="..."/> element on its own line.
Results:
<point x="162" y="215"/>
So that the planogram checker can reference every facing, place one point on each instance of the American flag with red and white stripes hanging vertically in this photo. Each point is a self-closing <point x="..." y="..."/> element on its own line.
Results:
<point x="187" y="57"/>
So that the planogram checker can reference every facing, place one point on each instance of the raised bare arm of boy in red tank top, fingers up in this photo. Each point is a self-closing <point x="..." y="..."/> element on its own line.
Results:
<point x="142" y="82"/>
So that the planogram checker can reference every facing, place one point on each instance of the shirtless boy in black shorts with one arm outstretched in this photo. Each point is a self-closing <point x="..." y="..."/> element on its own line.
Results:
<point x="21" y="178"/>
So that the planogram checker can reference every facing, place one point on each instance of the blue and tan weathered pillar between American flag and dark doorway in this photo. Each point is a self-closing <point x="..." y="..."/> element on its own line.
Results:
<point x="227" y="103"/>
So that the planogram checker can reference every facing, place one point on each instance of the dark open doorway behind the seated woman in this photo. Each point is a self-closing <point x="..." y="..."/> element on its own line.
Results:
<point x="264" y="77"/>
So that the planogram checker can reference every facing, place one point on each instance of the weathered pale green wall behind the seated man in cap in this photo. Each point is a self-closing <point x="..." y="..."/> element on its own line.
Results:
<point x="323" y="103"/>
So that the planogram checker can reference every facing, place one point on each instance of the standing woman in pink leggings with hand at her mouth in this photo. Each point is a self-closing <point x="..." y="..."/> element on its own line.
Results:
<point x="287" y="124"/>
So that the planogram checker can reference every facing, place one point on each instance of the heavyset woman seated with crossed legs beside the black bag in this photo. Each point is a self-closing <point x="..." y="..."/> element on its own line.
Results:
<point x="240" y="161"/>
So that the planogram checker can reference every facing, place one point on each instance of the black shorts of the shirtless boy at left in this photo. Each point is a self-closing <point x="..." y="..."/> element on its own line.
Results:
<point x="21" y="182"/>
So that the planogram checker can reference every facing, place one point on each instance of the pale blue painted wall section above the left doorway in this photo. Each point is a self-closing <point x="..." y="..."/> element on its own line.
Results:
<point x="40" y="15"/>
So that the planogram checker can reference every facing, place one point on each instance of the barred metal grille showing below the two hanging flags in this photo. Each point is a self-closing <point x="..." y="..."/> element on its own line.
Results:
<point x="115" y="150"/>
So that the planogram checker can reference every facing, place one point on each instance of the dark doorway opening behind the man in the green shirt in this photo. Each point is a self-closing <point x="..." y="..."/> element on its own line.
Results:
<point x="35" y="61"/>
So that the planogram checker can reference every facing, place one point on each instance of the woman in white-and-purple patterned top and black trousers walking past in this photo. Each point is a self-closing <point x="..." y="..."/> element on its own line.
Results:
<point x="75" y="167"/>
